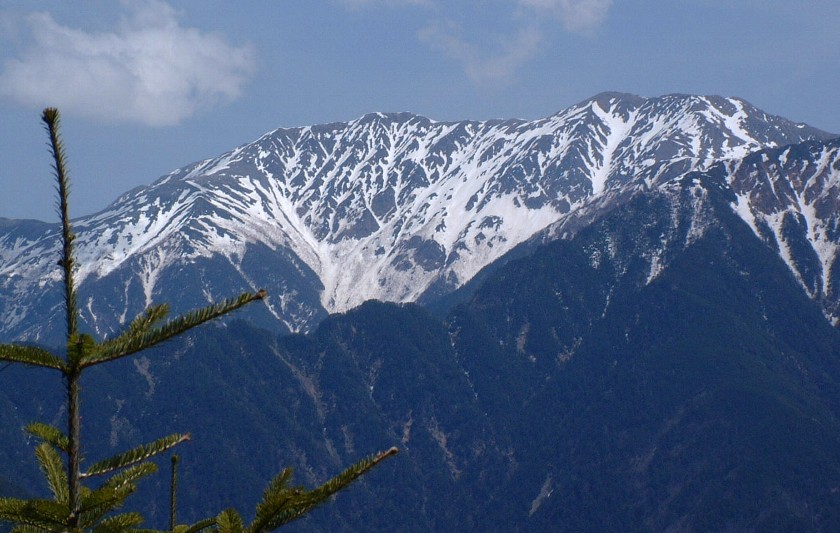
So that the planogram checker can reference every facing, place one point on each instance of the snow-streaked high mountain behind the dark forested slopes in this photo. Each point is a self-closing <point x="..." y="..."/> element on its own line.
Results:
<point x="398" y="207"/>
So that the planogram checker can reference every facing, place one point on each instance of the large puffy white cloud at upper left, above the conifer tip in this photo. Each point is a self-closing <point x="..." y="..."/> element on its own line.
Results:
<point x="150" y="69"/>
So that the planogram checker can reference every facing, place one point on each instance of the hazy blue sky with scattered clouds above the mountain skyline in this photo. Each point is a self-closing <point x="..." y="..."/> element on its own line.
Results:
<point x="148" y="86"/>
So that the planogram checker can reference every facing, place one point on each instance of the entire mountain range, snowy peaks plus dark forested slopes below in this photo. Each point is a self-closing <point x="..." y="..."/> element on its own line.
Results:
<point x="621" y="317"/>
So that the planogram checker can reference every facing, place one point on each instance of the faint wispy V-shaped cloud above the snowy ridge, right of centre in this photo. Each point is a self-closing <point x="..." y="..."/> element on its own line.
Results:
<point x="481" y="65"/>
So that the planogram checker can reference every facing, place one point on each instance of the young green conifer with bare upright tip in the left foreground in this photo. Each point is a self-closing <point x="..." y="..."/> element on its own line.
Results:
<point x="76" y="505"/>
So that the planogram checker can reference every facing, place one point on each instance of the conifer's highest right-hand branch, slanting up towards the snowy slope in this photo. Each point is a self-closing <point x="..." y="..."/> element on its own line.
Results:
<point x="132" y="341"/>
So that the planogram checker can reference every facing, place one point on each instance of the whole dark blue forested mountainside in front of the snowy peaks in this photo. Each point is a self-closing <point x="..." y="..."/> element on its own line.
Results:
<point x="662" y="369"/>
